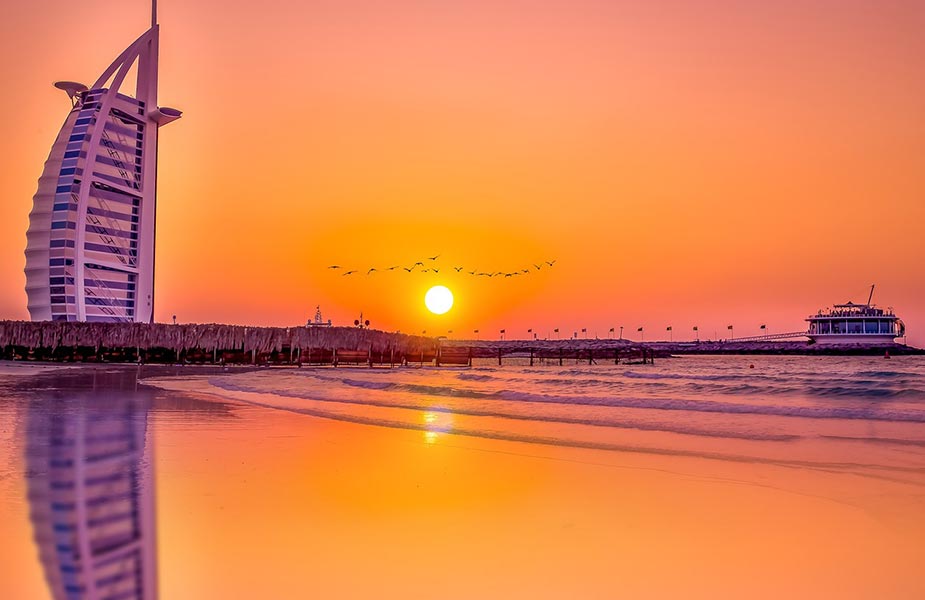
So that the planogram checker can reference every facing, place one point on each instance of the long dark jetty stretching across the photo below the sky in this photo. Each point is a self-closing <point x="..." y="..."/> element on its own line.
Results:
<point x="157" y="343"/>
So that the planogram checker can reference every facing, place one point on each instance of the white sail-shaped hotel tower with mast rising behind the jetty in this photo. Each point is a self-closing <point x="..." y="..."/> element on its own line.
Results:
<point x="90" y="244"/>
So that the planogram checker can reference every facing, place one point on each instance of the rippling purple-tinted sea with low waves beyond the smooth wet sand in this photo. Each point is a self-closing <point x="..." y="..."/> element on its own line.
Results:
<point x="852" y="412"/>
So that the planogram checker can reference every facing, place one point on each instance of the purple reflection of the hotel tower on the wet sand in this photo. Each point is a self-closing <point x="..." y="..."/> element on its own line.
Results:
<point x="91" y="496"/>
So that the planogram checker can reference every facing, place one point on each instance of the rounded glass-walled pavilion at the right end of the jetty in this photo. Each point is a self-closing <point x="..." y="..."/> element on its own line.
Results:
<point x="852" y="323"/>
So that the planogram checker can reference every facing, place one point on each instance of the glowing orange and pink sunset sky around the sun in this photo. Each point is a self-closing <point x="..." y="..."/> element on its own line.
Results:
<point x="705" y="163"/>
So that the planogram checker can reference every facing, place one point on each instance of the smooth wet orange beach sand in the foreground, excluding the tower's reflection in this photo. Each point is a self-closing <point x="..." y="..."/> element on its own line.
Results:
<point x="261" y="503"/>
